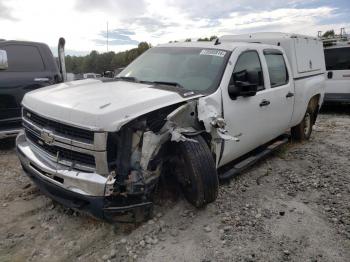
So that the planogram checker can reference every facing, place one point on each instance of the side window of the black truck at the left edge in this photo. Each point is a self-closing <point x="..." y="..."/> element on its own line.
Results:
<point x="24" y="58"/>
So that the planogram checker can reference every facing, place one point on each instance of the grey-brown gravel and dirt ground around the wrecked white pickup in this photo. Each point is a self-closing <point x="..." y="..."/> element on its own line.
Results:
<point x="293" y="206"/>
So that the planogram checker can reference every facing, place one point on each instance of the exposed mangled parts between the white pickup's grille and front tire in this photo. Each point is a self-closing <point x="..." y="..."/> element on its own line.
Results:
<point x="138" y="151"/>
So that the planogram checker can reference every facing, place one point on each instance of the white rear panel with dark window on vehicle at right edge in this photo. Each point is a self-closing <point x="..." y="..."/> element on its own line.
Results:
<point x="338" y="67"/>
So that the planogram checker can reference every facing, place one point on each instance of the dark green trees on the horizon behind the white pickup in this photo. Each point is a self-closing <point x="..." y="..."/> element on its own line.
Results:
<point x="100" y="62"/>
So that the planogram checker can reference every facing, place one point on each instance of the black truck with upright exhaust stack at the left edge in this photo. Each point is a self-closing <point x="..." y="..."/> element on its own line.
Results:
<point x="24" y="66"/>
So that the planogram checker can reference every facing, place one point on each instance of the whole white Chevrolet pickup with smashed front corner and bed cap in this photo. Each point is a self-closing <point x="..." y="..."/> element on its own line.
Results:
<point x="196" y="112"/>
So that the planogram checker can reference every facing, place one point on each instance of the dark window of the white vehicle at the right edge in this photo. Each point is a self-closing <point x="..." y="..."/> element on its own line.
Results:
<point x="337" y="58"/>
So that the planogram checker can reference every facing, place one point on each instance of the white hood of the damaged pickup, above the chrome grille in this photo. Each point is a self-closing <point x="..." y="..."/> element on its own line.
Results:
<point x="99" y="106"/>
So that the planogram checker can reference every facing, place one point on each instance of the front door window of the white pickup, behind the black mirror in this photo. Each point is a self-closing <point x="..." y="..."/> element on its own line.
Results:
<point x="248" y="69"/>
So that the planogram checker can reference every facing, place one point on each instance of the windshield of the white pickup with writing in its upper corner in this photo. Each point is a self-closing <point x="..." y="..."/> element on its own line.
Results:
<point x="196" y="69"/>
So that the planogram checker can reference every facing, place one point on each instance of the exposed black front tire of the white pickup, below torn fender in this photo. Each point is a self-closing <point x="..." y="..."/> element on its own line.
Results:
<point x="196" y="172"/>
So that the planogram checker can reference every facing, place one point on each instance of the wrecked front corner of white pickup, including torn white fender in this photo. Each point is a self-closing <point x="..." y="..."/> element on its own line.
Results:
<point x="140" y="151"/>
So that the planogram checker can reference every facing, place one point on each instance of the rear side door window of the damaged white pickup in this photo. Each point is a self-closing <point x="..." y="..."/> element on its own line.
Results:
<point x="277" y="68"/>
